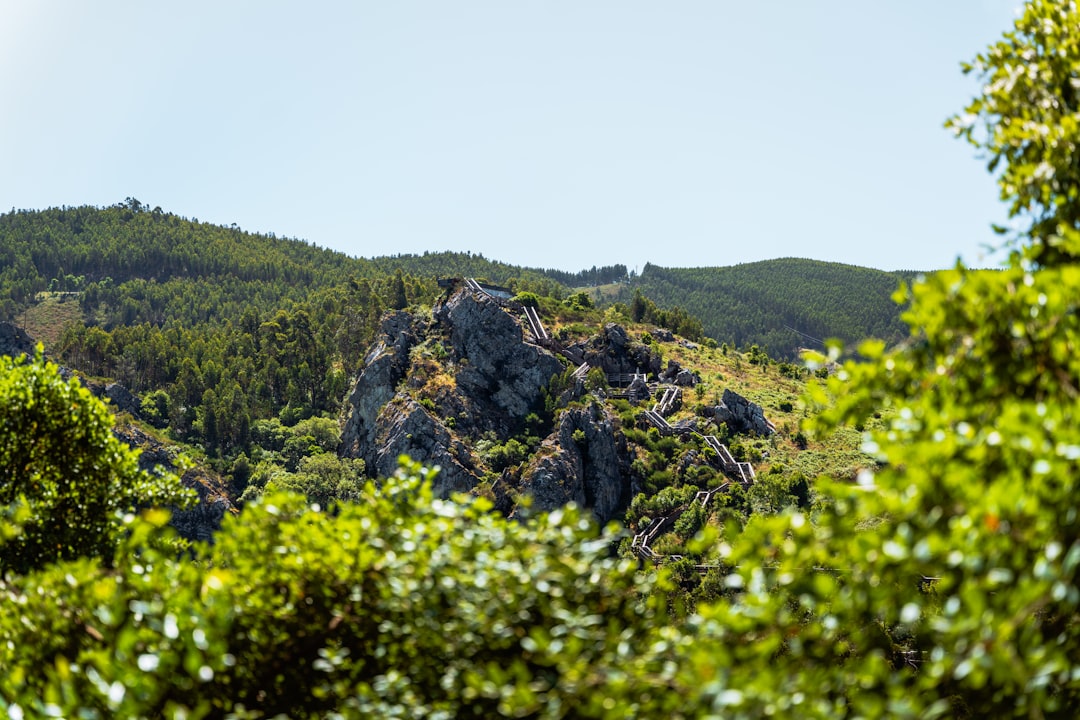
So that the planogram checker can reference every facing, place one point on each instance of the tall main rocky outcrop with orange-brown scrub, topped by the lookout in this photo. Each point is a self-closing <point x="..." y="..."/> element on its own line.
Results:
<point x="495" y="382"/>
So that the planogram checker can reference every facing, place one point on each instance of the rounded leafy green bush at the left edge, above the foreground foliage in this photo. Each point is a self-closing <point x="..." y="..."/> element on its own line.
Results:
<point x="66" y="482"/>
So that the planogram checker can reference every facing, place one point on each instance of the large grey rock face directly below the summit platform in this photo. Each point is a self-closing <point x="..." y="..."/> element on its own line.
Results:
<point x="501" y="377"/>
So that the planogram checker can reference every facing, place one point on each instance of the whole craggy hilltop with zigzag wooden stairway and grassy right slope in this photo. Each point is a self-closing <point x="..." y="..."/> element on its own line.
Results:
<point x="534" y="403"/>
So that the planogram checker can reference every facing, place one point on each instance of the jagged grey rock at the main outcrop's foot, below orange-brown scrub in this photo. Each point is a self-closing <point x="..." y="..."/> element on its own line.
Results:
<point x="406" y="428"/>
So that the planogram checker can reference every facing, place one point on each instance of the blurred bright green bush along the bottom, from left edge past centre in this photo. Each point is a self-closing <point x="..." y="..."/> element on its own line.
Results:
<point x="401" y="606"/>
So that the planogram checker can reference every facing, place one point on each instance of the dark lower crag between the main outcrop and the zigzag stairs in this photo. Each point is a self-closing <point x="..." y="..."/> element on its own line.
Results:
<point x="592" y="470"/>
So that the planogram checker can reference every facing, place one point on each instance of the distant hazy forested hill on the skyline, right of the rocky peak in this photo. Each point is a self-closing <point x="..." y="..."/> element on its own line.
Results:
<point x="782" y="305"/>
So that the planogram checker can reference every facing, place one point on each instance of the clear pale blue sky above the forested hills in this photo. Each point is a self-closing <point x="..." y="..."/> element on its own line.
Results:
<point x="546" y="134"/>
